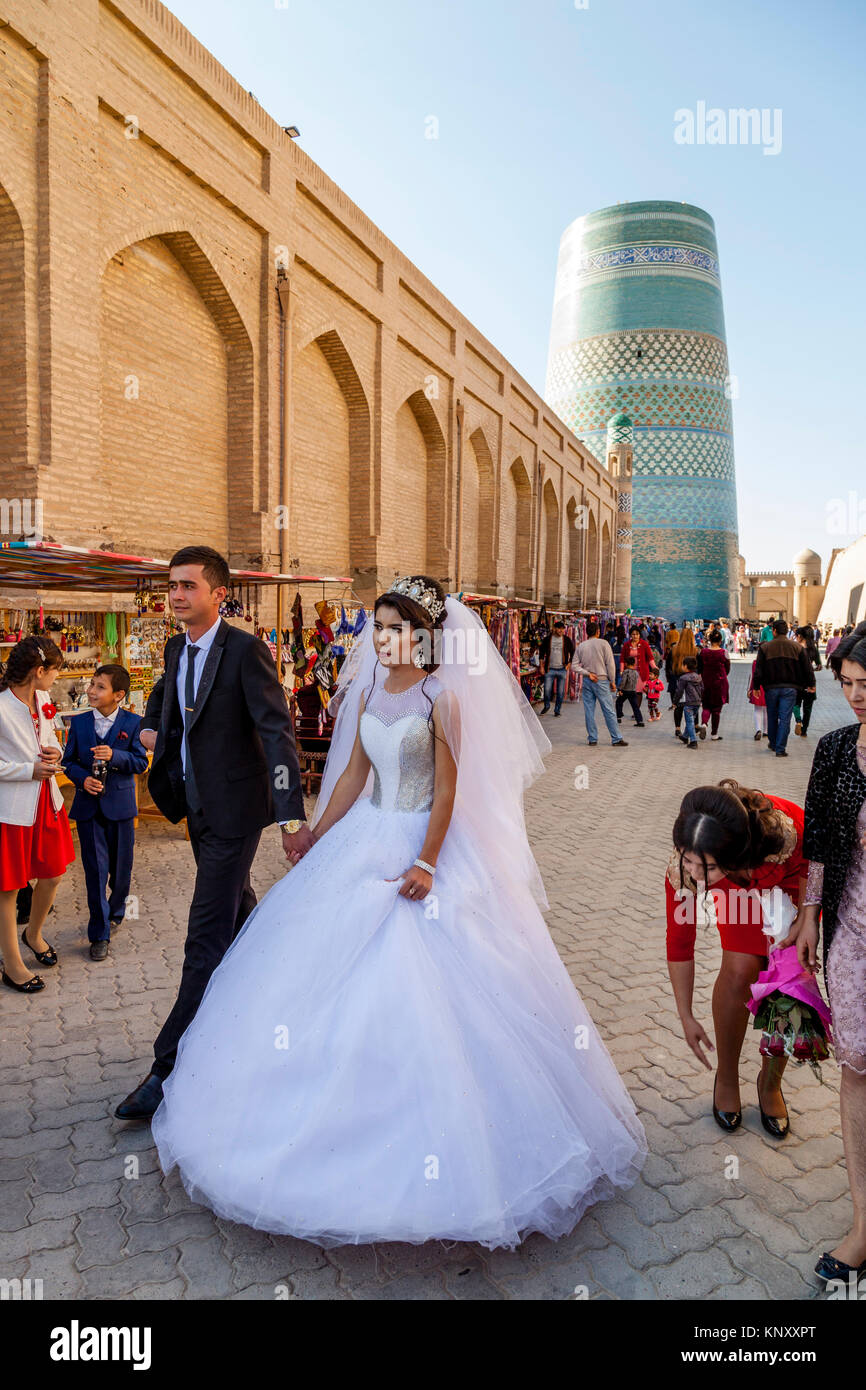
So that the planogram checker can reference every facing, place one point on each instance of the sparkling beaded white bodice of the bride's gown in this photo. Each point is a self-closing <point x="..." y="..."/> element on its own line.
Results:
<point x="397" y="736"/>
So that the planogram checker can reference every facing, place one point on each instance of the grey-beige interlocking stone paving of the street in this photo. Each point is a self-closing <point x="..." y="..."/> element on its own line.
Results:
<point x="73" y="1216"/>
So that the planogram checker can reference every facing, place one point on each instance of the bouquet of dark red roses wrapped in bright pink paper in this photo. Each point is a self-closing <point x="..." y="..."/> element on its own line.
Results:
<point x="792" y="1013"/>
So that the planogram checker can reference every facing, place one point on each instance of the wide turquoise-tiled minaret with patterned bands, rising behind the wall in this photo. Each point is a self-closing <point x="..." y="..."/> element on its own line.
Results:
<point x="639" y="326"/>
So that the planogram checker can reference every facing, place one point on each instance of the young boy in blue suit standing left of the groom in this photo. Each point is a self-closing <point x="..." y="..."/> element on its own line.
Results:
<point x="105" y="819"/>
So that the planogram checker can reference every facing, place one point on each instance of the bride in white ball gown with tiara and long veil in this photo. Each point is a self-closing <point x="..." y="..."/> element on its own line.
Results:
<point x="393" y="1049"/>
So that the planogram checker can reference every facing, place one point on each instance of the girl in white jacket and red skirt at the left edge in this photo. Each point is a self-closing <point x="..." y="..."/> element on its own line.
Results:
<point x="35" y="839"/>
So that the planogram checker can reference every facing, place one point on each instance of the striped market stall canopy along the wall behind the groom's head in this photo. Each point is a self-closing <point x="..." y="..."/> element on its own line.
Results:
<point x="48" y="565"/>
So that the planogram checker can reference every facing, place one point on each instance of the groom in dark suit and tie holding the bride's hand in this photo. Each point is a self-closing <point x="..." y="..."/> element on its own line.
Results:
<point x="224" y="757"/>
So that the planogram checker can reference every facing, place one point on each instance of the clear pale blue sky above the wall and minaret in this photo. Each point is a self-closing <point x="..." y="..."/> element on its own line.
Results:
<point x="548" y="112"/>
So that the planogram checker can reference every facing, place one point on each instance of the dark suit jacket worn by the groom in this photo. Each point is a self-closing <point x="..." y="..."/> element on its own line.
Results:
<point x="240" y="737"/>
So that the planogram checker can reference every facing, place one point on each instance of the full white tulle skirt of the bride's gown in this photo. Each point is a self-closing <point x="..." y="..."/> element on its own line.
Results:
<point x="365" y="1068"/>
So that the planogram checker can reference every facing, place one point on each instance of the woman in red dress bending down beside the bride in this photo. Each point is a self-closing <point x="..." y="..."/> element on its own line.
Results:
<point x="737" y="864"/>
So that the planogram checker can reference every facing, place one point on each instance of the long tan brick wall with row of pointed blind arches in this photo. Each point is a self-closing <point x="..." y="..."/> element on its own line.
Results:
<point x="147" y="204"/>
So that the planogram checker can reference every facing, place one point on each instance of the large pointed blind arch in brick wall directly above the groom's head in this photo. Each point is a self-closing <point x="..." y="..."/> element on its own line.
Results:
<point x="195" y="391"/>
